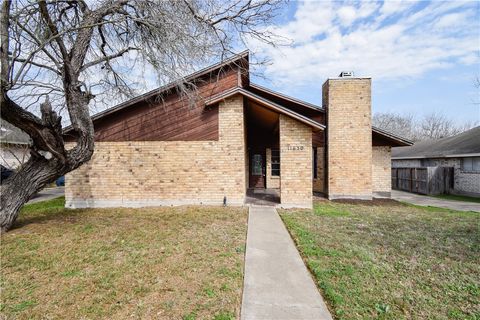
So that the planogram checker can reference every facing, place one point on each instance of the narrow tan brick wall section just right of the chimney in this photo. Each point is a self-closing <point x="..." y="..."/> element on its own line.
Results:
<point x="381" y="172"/>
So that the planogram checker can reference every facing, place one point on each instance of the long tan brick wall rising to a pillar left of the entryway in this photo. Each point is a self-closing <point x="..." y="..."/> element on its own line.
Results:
<point x="143" y="173"/>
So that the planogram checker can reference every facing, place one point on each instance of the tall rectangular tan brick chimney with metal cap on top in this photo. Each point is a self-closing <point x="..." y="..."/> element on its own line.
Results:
<point x="347" y="101"/>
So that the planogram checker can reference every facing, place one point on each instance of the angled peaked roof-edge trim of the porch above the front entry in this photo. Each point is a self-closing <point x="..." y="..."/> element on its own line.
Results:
<point x="267" y="104"/>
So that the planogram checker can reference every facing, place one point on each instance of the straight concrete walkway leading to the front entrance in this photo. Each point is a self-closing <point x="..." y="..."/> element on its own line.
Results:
<point x="277" y="284"/>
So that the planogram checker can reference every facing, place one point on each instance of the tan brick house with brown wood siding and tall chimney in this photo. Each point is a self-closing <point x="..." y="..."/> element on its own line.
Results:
<point x="158" y="149"/>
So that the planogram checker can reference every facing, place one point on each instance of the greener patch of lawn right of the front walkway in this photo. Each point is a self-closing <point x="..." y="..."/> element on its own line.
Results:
<point x="391" y="261"/>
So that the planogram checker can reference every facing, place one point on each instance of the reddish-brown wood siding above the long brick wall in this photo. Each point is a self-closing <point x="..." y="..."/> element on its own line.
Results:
<point x="171" y="118"/>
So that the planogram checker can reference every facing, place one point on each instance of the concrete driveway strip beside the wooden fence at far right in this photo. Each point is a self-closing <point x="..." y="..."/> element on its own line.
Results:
<point x="434" y="202"/>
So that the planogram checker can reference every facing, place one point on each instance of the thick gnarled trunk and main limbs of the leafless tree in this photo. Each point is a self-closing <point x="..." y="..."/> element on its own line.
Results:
<point x="46" y="132"/>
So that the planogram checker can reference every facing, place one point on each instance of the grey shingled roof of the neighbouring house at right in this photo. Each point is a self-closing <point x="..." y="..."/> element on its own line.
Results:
<point x="464" y="144"/>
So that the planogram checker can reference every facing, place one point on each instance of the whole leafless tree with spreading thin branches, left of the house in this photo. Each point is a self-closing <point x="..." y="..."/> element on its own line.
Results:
<point x="59" y="55"/>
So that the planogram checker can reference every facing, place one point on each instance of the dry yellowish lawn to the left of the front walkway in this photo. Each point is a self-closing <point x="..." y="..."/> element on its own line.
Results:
<point x="155" y="263"/>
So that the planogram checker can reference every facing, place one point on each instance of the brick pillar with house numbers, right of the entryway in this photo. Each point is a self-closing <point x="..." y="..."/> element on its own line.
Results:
<point x="295" y="163"/>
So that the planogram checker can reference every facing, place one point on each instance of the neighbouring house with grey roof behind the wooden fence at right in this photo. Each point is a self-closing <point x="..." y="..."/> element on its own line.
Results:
<point x="462" y="152"/>
